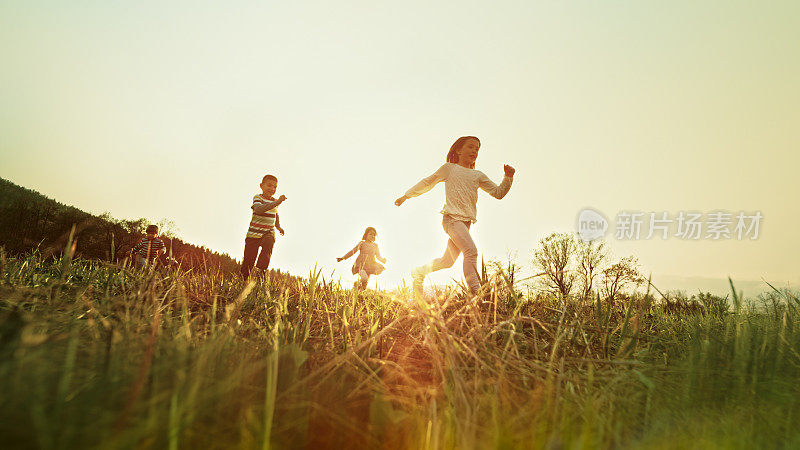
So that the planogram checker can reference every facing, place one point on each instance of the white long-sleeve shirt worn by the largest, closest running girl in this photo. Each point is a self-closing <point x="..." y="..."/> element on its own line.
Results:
<point x="461" y="189"/>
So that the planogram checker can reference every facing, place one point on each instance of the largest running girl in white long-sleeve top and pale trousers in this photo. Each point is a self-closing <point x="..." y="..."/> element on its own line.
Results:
<point x="461" y="183"/>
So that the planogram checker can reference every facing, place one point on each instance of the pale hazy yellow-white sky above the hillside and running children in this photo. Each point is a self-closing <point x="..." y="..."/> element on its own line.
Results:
<point x="177" y="110"/>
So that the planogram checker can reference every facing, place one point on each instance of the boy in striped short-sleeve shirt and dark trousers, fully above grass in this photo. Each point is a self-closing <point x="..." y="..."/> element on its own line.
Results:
<point x="263" y="224"/>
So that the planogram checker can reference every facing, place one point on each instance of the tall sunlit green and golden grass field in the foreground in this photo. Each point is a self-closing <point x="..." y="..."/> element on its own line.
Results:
<point x="98" y="355"/>
